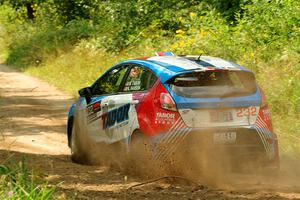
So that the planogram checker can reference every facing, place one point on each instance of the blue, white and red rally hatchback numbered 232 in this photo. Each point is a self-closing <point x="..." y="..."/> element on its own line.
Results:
<point x="171" y="100"/>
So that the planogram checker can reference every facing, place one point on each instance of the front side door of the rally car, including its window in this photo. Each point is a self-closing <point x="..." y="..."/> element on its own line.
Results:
<point x="100" y="114"/>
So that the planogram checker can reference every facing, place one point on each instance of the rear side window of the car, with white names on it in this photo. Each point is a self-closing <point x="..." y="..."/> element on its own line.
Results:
<point x="139" y="79"/>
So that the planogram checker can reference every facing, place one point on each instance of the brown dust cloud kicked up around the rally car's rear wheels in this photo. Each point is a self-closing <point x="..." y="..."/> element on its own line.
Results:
<point x="199" y="162"/>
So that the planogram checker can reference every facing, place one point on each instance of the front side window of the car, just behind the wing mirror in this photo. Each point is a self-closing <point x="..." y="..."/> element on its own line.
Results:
<point x="110" y="82"/>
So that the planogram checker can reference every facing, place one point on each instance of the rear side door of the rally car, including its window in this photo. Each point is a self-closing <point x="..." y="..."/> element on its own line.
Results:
<point x="126" y="102"/>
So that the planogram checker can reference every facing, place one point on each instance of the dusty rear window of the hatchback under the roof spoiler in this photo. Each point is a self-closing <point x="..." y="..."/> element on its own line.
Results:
<point x="221" y="83"/>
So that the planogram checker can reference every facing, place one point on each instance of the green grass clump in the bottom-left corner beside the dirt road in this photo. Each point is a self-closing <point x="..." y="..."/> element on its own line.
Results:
<point x="18" y="182"/>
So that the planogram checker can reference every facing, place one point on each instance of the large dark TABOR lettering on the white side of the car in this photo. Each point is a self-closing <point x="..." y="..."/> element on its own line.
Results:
<point x="115" y="116"/>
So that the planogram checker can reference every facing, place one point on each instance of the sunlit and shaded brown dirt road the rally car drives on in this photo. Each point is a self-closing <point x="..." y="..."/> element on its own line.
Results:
<point x="33" y="123"/>
